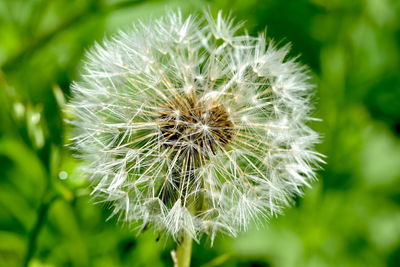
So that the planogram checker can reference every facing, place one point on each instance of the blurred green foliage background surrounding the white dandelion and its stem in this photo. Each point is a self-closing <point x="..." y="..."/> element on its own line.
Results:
<point x="351" y="216"/>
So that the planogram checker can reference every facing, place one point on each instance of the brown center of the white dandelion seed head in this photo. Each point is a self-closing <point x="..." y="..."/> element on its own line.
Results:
<point x="194" y="126"/>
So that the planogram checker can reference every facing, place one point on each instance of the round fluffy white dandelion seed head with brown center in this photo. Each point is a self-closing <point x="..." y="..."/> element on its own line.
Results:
<point x="192" y="129"/>
